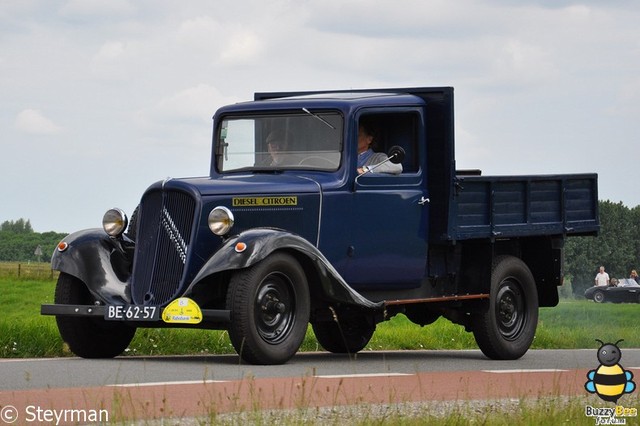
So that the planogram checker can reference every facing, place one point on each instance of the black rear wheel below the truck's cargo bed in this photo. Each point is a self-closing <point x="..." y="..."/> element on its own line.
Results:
<point x="506" y="329"/>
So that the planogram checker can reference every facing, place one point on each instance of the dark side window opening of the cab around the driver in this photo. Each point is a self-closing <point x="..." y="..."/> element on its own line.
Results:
<point x="389" y="129"/>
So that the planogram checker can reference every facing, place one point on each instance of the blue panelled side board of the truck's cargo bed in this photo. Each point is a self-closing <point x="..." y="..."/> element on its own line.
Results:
<point x="520" y="206"/>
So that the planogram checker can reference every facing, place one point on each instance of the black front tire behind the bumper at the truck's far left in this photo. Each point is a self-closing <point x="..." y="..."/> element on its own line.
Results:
<point x="88" y="337"/>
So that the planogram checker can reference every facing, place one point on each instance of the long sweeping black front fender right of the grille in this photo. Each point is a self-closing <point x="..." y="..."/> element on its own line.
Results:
<point x="252" y="246"/>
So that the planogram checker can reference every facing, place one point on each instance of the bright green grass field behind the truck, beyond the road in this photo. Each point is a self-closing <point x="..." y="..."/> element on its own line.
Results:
<point x="572" y="324"/>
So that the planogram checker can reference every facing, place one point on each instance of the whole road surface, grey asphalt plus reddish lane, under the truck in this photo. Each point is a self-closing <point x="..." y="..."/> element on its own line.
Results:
<point x="57" y="391"/>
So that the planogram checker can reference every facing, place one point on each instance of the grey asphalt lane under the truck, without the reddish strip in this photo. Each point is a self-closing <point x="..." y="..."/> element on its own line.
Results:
<point x="76" y="372"/>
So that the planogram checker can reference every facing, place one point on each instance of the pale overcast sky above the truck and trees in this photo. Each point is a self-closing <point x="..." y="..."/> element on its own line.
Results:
<point x="101" y="98"/>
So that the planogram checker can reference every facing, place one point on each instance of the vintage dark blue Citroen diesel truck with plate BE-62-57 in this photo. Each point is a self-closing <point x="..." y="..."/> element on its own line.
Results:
<point x="290" y="229"/>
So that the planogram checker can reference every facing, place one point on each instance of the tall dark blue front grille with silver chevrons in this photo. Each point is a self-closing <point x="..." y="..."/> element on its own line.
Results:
<point x="165" y="221"/>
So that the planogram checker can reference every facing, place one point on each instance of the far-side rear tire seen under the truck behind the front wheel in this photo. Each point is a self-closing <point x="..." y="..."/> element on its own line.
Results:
<point x="344" y="336"/>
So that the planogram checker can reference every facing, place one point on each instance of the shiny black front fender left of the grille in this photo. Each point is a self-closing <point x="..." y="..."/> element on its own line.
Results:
<point x="99" y="261"/>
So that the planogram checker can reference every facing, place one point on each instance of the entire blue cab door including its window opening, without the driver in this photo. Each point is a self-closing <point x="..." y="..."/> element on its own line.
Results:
<point x="388" y="240"/>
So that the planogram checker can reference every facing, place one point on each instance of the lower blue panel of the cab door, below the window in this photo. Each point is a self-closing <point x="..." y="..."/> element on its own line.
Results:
<point x="387" y="246"/>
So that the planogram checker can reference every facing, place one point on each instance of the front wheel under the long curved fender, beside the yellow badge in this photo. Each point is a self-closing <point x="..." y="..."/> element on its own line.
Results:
<point x="269" y="304"/>
